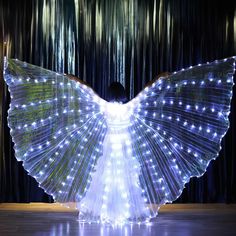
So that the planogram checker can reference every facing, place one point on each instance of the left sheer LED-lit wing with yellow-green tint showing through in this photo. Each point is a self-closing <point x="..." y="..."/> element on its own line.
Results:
<point x="57" y="128"/>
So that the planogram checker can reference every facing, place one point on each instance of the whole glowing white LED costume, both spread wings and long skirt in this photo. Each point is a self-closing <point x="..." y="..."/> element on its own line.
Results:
<point x="119" y="161"/>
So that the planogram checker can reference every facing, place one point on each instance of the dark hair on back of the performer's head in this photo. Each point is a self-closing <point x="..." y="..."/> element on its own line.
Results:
<point x="116" y="93"/>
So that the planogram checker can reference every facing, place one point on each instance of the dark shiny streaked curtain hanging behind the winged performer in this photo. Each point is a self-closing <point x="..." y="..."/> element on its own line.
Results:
<point x="130" y="41"/>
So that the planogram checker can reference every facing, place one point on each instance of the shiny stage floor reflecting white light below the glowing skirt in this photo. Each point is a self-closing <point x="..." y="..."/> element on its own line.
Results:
<point x="41" y="219"/>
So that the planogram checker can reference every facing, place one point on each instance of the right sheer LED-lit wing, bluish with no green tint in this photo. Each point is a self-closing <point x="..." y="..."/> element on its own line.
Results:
<point x="177" y="127"/>
